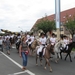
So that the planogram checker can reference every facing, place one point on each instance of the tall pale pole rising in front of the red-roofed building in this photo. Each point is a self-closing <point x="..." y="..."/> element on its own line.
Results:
<point x="57" y="17"/>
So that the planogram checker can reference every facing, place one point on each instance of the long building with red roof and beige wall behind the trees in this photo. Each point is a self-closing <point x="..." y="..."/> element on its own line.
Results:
<point x="63" y="18"/>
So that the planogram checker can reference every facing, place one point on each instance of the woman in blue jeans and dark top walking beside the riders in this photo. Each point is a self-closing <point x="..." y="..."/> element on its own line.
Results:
<point x="23" y="51"/>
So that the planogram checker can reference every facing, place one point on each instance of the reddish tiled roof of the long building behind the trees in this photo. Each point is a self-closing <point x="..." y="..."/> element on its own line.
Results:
<point x="63" y="14"/>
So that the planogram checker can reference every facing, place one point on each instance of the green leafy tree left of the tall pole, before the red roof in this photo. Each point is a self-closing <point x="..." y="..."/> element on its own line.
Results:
<point x="46" y="25"/>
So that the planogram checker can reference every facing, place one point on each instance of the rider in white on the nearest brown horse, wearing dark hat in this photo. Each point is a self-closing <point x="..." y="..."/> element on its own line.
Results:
<point x="42" y="42"/>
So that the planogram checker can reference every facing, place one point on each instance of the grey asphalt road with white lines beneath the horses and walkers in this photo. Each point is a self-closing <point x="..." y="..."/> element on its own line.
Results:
<point x="12" y="64"/>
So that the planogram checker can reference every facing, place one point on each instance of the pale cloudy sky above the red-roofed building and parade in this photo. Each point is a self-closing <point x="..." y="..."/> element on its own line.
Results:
<point x="17" y="15"/>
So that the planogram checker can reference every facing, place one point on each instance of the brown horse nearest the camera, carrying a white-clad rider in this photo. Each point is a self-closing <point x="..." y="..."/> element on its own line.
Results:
<point x="48" y="50"/>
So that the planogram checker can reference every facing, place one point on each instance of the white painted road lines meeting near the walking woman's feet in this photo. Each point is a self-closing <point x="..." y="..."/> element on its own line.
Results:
<point x="29" y="72"/>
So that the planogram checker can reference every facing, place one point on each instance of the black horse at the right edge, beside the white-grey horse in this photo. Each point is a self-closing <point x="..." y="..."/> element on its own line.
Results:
<point x="70" y="47"/>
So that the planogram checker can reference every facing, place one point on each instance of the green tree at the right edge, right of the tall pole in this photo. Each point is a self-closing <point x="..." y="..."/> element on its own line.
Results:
<point x="70" y="24"/>
